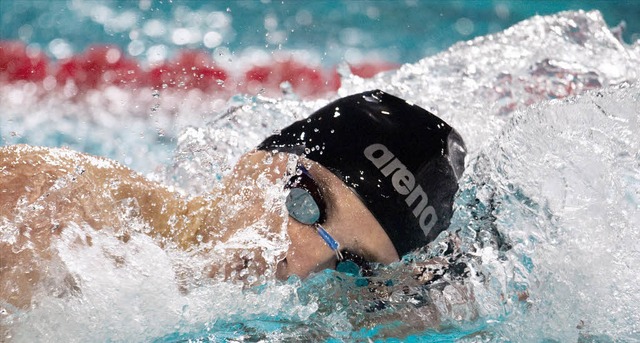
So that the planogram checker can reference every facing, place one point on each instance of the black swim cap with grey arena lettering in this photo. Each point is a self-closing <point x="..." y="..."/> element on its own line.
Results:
<point x="401" y="160"/>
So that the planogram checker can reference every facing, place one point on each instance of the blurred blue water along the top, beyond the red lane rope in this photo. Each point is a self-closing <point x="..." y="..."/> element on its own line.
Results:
<point x="334" y="31"/>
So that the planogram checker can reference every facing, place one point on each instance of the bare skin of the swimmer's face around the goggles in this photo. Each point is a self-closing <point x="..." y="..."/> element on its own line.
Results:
<point x="347" y="220"/>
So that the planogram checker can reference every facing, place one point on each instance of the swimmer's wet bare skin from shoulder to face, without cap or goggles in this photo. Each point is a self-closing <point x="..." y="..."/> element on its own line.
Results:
<point x="44" y="190"/>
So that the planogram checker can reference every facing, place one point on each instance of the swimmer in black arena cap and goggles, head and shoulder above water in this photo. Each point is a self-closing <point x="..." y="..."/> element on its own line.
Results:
<point x="373" y="179"/>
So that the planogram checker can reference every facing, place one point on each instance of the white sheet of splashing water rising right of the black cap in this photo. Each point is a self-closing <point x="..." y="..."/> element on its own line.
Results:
<point x="564" y="188"/>
